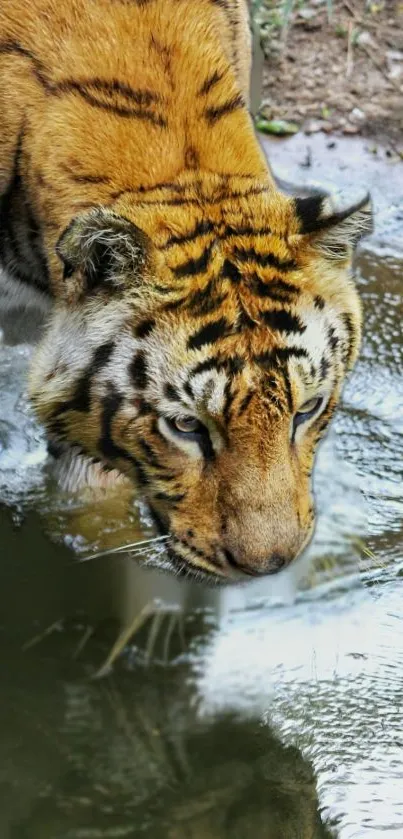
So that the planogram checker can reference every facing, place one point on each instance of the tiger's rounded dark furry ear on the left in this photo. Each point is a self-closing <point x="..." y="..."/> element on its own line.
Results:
<point x="102" y="249"/>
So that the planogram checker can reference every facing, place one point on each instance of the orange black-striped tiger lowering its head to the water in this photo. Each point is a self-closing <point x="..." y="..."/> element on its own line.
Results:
<point x="200" y="321"/>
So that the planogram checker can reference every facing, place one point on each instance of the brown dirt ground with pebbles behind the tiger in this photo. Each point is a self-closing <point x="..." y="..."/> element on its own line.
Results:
<point x="335" y="66"/>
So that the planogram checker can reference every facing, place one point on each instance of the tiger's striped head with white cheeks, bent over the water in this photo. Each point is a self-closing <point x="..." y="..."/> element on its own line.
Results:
<point x="201" y="349"/>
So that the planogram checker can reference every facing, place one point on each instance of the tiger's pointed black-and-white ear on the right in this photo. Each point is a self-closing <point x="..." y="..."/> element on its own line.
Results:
<point x="334" y="228"/>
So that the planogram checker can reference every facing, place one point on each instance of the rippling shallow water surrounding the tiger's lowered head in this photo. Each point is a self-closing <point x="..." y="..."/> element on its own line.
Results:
<point x="272" y="710"/>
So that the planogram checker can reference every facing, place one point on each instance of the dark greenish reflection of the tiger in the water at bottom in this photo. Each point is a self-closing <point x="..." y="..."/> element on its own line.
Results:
<point x="131" y="757"/>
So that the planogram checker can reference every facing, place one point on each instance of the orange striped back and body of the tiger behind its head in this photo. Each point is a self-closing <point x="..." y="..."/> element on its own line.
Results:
<point x="98" y="100"/>
